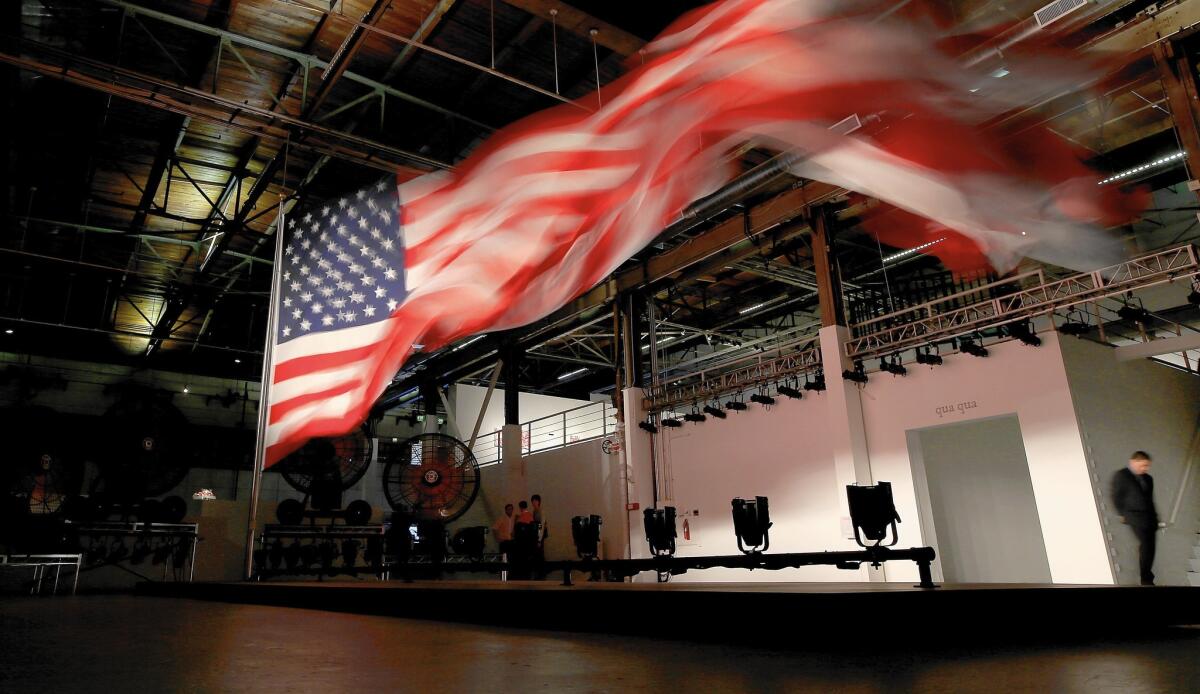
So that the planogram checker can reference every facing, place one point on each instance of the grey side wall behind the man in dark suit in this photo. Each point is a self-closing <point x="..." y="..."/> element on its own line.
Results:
<point x="1127" y="406"/>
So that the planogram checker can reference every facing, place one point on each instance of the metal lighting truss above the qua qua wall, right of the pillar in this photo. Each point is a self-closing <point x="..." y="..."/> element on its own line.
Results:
<point x="1031" y="295"/>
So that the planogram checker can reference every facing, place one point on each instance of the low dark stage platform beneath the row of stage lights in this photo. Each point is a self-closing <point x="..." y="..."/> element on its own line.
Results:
<point x="716" y="611"/>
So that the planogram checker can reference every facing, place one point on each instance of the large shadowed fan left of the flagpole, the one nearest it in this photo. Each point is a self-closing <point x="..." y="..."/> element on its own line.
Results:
<point x="143" y="447"/>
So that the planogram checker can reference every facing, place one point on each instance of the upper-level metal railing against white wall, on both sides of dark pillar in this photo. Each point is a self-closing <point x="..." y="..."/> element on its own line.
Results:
<point x="577" y="426"/>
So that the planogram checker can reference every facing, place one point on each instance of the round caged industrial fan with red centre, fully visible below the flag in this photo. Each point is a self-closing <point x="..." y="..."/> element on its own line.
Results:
<point x="431" y="477"/>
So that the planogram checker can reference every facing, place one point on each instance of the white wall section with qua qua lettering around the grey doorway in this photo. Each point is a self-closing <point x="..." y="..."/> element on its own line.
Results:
<point x="1017" y="379"/>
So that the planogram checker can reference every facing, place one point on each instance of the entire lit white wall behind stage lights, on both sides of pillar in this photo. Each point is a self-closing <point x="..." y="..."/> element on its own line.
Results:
<point x="784" y="454"/>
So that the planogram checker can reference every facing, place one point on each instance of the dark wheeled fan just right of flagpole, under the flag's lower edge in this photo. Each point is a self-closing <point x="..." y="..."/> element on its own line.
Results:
<point x="322" y="470"/>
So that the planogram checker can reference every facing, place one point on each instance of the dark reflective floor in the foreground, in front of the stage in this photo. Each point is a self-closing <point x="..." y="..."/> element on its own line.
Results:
<point x="119" y="644"/>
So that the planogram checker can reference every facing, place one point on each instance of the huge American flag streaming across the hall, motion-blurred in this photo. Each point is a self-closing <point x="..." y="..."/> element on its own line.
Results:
<point x="553" y="205"/>
